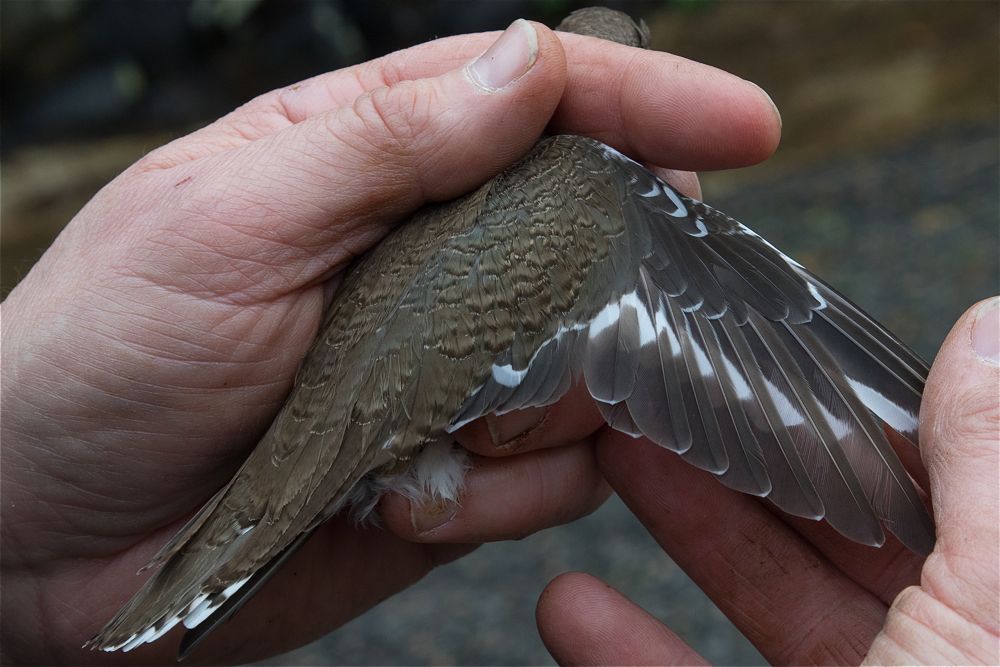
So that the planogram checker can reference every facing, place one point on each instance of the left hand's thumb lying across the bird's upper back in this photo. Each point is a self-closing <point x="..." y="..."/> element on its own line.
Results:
<point x="301" y="202"/>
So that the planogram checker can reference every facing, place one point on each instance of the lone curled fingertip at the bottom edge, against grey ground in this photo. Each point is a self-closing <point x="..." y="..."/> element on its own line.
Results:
<point x="583" y="621"/>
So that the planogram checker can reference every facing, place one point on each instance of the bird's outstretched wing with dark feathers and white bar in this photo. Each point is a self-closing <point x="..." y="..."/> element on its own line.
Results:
<point x="712" y="343"/>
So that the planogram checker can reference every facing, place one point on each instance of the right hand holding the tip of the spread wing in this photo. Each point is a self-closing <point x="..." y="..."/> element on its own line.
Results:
<point x="799" y="591"/>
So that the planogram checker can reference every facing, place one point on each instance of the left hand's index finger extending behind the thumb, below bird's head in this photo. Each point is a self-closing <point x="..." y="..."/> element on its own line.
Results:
<point x="656" y="106"/>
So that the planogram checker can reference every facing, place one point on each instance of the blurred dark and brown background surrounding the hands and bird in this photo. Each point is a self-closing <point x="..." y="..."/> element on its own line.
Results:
<point x="886" y="184"/>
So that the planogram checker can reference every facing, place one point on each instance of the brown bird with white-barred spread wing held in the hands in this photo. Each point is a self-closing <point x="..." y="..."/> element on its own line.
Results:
<point x="576" y="265"/>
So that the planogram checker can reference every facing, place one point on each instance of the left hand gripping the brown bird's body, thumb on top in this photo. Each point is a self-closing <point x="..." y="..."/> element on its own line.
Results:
<point x="149" y="348"/>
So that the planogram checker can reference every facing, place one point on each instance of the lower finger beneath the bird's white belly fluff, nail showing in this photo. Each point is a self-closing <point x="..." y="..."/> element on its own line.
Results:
<point x="506" y="498"/>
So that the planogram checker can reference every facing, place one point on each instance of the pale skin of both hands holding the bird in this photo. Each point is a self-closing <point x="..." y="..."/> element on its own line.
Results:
<point x="150" y="347"/>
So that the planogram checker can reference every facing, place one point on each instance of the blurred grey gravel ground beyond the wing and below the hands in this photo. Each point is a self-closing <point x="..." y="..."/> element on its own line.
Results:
<point x="909" y="232"/>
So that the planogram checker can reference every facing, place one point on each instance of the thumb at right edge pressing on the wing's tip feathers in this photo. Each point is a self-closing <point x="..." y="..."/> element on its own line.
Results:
<point x="959" y="427"/>
